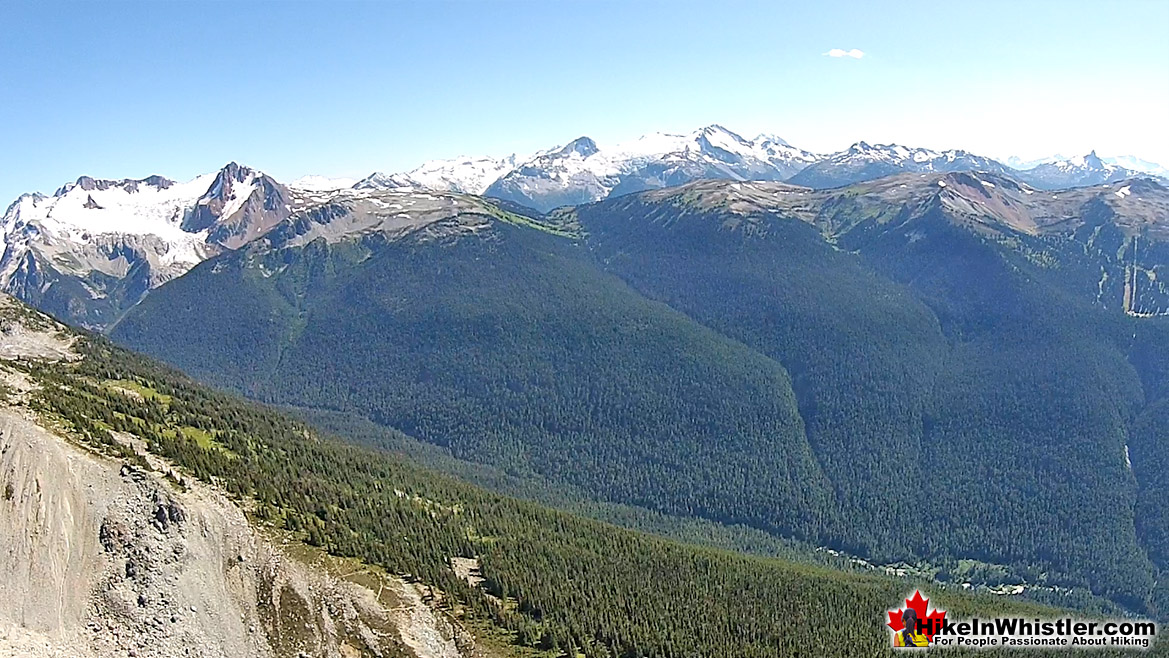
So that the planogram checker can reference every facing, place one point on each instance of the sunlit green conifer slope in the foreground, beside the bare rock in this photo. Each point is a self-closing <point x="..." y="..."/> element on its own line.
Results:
<point x="569" y="586"/>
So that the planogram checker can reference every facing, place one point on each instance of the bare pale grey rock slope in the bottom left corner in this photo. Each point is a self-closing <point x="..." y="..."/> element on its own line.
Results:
<point x="102" y="559"/>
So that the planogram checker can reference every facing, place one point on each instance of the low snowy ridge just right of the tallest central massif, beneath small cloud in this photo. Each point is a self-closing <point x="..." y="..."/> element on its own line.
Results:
<point x="864" y="162"/>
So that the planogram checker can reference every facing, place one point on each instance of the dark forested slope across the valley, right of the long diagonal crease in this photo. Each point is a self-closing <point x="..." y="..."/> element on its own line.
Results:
<point x="979" y="408"/>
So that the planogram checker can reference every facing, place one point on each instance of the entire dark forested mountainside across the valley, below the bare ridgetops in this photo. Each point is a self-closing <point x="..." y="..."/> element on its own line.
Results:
<point x="882" y="380"/>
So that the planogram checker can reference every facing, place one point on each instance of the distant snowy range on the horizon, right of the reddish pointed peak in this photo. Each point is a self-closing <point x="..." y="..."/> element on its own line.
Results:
<point x="583" y="172"/>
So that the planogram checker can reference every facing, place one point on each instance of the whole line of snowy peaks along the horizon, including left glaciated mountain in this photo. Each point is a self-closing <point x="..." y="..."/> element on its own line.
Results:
<point x="94" y="248"/>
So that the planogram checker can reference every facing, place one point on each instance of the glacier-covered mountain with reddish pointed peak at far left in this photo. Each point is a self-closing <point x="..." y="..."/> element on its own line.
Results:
<point x="95" y="247"/>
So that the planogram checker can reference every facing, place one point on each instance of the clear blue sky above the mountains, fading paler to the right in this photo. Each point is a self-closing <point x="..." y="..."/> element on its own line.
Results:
<point x="129" y="89"/>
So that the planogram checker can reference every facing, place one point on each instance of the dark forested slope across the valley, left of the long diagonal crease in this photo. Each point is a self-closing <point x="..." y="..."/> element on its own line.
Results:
<point x="514" y="351"/>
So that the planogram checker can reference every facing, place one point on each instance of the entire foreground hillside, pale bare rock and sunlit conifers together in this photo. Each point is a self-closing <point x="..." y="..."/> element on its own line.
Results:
<point x="473" y="573"/>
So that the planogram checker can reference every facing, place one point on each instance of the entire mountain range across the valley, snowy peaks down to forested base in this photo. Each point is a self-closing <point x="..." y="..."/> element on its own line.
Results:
<point x="889" y="335"/>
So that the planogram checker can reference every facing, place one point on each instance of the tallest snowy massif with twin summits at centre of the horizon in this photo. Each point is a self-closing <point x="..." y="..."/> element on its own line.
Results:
<point x="583" y="172"/>
